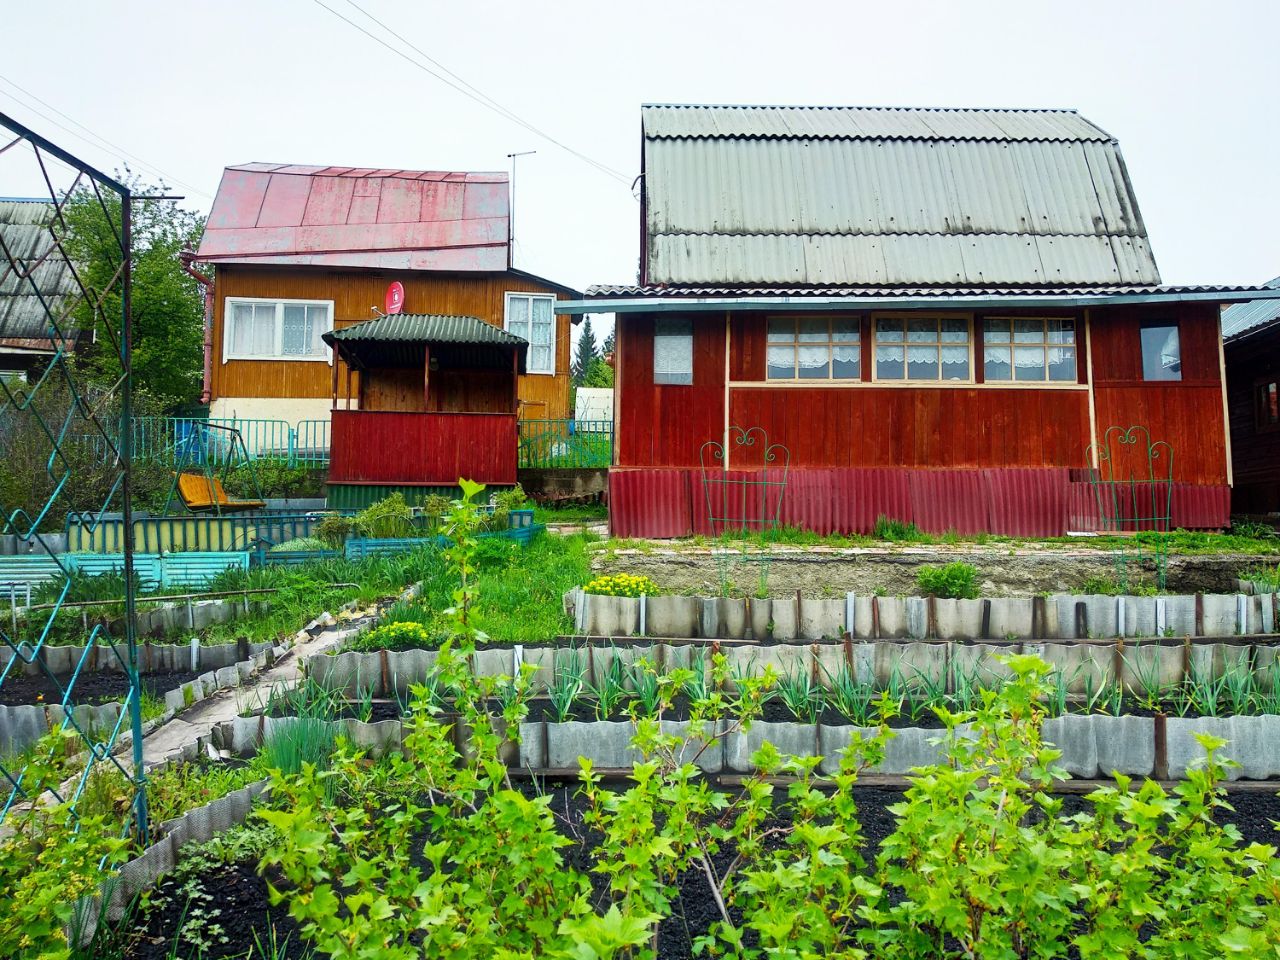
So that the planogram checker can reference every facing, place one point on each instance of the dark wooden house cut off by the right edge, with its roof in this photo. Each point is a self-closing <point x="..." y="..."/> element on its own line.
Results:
<point x="1251" y="336"/>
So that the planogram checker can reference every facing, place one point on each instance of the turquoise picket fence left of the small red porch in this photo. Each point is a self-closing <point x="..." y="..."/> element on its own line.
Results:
<point x="184" y="441"/>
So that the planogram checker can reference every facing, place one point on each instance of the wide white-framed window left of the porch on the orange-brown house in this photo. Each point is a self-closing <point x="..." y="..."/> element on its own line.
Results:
<point x="277" y="330"/>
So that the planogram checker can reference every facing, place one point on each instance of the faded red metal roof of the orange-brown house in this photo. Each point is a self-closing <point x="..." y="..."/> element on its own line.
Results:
<point x="364" y="218"/>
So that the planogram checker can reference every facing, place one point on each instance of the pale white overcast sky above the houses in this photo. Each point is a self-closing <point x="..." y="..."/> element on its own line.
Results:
<point x="1190" y="90"/>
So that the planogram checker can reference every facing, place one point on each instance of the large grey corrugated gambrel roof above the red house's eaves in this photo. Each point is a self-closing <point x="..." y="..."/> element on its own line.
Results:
<point x="807" y="196"/>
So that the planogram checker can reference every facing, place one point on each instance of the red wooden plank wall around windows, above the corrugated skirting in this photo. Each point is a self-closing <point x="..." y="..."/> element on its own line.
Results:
<point x="971" y="426"/>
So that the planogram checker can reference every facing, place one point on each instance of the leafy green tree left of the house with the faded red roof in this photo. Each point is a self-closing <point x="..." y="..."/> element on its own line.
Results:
<point x="167" y="305"/>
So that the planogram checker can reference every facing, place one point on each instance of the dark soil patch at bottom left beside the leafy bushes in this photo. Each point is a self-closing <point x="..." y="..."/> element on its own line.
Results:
<point x="245" y="909"/>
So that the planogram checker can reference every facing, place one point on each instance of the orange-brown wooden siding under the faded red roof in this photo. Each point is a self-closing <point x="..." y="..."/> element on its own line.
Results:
<point x="354" y="294"/>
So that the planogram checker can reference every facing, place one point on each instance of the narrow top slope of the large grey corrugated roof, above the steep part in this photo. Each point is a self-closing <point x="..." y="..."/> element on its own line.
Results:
<point x="866" y="122"/>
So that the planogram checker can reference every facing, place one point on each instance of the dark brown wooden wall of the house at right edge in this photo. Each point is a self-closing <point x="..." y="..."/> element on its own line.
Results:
<point x="1255" y="452"/>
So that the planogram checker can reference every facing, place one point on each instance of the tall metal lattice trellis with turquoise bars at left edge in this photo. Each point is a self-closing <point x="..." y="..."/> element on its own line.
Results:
<point x="84" y="323"/>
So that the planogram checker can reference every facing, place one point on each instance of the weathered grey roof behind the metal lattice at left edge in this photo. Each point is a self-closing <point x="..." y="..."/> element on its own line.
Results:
<point x="39" y="273"/>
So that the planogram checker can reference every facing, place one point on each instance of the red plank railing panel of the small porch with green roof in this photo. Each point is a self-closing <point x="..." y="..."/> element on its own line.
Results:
<point x="423" y="449"/>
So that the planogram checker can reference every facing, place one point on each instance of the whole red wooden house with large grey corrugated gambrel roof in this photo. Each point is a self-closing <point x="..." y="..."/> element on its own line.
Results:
<point x="936" y="316"/>
